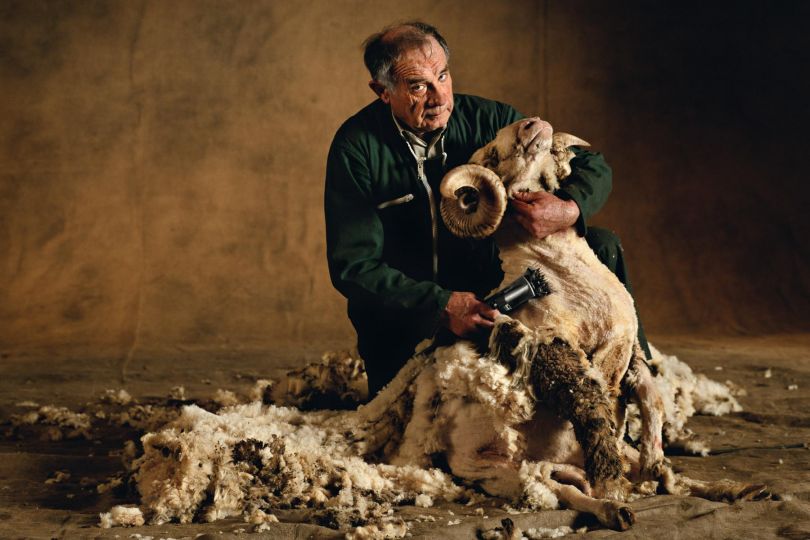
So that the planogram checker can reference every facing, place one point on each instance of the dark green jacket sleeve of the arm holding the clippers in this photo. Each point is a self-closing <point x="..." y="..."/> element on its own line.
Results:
<point x="354" y="244"/>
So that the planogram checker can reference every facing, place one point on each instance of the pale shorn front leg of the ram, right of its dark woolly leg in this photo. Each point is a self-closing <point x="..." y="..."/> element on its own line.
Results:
<point x="638" y="383"/>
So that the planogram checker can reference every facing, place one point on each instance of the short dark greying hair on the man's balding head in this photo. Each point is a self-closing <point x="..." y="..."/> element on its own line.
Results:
<point x="383" y="49"/>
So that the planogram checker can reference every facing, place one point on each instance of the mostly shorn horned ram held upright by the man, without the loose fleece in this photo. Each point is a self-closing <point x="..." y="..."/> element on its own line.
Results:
<point x="576" y="349"/>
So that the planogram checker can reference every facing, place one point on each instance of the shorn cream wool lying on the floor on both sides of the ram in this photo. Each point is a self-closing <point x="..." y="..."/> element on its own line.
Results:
<point x="251" y="456"/>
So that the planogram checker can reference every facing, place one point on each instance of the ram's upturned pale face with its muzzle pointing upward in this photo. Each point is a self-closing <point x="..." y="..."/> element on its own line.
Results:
<point x="519" y="154"/>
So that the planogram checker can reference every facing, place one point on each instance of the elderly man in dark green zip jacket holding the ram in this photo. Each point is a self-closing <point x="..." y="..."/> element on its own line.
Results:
<point x="389" y="254"/>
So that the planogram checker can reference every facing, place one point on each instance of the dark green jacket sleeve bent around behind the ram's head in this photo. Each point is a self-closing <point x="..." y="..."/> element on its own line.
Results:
<point x="588" y="185"/>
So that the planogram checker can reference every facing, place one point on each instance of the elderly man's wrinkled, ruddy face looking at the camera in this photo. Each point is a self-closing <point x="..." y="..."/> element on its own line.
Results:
<point x="422" y="97"/>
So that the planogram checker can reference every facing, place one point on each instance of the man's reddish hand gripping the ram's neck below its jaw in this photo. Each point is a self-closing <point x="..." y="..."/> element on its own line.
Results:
<point x="542" y="213"/>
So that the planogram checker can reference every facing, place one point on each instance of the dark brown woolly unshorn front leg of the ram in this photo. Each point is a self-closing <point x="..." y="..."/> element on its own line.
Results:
<point x="564" y="384"/>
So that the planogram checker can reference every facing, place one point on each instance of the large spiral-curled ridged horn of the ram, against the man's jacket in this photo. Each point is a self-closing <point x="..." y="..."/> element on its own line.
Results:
<point x="473" y="201"/>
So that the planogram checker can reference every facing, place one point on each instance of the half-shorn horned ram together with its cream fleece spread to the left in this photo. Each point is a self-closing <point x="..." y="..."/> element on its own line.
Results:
<point x="538" y="418"/>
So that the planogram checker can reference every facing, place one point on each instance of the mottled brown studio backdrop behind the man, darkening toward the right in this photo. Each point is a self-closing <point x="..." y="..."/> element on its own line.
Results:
<point x="161" y="163"/>
